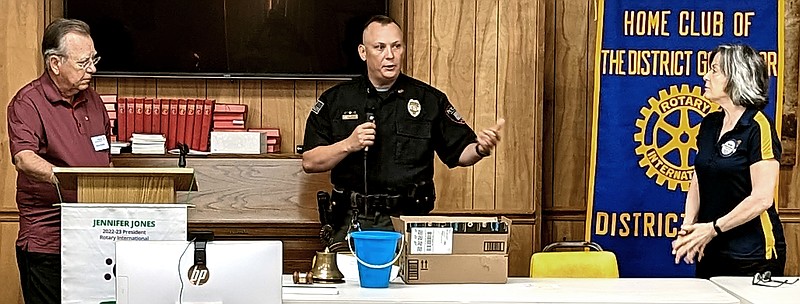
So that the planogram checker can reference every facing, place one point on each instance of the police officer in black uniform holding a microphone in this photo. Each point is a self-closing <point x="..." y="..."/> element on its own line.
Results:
<point x="377" y="134"/>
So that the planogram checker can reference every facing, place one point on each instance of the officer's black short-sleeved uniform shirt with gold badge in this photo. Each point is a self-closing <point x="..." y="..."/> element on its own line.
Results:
<point x="412" y="119"/>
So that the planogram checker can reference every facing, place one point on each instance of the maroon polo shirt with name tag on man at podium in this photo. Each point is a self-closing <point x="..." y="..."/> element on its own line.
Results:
<point x="40" y="120"/>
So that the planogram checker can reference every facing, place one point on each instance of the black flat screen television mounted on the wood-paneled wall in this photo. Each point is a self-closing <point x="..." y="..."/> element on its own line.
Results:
<point x="228" y="38"/>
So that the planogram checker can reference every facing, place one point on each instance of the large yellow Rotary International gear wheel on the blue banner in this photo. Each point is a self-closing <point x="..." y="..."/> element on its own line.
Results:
<point x="667" y="132"/>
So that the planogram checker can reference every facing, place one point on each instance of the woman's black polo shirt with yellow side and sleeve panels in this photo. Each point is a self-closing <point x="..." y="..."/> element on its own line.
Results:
<point x="723" y="175"/>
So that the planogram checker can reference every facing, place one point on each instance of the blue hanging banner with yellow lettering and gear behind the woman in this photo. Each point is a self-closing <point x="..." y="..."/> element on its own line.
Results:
<point x="650" y="58"/>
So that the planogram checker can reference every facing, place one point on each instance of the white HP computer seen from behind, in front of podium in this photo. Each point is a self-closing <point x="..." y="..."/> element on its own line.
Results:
<point x="228" y="272"/>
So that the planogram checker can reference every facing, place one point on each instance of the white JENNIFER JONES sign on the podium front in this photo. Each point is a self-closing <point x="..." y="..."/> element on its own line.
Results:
<point x="88" y="233"/>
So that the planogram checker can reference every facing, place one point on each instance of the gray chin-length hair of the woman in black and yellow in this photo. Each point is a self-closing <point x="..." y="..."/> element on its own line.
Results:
<point x="746" y="71"/>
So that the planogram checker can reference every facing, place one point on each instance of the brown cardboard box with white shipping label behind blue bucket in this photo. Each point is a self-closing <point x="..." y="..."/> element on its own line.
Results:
<point x="440" y="249"/>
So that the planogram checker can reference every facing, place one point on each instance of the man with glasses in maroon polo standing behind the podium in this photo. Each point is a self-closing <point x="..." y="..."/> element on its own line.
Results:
<point x="56" y="120"/>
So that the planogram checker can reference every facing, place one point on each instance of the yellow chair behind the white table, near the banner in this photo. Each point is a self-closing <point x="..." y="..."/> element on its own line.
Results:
<point x="574" y="264"/>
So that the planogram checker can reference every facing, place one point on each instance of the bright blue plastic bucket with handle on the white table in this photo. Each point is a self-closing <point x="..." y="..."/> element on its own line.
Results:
<point x="375" y="252"/>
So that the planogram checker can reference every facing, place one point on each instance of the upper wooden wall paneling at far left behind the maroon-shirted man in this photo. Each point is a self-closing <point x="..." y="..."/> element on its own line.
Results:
<point x="21" y="27"/>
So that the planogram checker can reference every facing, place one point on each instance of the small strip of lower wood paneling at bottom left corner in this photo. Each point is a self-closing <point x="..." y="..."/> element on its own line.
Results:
<point x="9" y="275"/>
